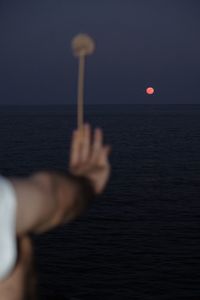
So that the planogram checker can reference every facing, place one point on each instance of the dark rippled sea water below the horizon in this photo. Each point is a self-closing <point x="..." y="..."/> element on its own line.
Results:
<point x="141" y="239"/>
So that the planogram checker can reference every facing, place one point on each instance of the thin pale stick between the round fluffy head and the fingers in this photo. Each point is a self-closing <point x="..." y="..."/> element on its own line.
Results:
<point x="80" y="112"/>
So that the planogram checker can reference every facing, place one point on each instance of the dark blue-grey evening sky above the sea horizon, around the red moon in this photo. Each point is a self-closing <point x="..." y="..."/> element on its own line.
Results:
<point x="139" y="43"/>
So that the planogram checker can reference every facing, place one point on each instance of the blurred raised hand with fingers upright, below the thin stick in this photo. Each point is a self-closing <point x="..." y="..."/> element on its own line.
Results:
<point x="90" y="158"/>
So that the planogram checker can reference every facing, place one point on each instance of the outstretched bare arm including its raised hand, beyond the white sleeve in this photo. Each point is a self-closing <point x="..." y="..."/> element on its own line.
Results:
<point x="47" y="199"/>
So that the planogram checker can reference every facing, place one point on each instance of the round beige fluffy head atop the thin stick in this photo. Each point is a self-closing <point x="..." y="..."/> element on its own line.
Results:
<point x="82" y="44"/>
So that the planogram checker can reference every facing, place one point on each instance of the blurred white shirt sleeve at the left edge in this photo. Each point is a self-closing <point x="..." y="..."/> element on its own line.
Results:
<point x="8" y="247"/>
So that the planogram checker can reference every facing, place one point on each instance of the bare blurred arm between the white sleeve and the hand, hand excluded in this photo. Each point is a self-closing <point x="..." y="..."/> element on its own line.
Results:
<point x="46" y="200"/>
